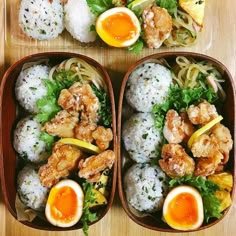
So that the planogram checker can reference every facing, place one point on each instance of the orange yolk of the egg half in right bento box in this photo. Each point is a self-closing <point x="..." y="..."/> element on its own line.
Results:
<point x="183" y="209"/>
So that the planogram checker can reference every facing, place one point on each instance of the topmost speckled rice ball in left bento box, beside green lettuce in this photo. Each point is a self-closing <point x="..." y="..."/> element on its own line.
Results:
<point x="30" y="86"/>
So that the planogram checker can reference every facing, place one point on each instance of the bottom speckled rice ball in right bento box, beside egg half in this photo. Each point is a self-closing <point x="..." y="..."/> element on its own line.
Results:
<point x="145" y="187"/>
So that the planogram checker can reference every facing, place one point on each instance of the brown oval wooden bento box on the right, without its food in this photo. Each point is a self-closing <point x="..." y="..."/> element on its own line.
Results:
<point x="155" y="221"/>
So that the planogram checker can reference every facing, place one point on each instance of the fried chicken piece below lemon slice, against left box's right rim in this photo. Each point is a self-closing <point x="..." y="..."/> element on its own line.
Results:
<point x="93" y="165"/>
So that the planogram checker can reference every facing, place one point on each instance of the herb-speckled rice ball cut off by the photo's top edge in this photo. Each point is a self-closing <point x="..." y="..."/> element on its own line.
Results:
<point x="41" y="19"/>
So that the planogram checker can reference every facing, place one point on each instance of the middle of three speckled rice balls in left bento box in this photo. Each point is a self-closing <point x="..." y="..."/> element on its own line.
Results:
<point x="27" y="143"/>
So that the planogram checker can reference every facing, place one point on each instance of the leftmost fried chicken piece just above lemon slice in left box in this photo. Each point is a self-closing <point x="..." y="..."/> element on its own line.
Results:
<point x="61" y="125"/>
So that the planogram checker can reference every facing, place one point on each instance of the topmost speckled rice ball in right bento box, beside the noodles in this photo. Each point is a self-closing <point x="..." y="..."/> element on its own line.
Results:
<point x="148" y="85"/>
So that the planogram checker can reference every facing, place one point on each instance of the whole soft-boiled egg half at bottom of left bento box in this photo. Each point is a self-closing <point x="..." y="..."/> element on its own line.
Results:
<point x="65" y="203"/>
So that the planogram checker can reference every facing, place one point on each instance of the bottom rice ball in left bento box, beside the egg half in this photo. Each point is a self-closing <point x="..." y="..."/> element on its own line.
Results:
<point x="30" y="190"/>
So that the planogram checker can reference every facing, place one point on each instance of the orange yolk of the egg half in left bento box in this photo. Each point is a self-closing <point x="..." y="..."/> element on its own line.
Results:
<point x="63" y="202"/>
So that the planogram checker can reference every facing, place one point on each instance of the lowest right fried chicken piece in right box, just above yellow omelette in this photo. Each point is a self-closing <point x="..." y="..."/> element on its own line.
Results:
<point x="208" y="165"/>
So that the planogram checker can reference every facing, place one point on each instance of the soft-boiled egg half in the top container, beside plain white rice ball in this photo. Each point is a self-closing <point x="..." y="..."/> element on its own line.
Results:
<point x="118" y="27"/>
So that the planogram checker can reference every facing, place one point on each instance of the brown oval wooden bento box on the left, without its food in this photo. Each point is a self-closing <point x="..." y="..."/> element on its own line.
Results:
<point x="10" y="112"/>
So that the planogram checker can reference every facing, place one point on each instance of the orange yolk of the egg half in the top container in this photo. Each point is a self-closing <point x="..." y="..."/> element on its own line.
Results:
<point x="120" y="26"/>
